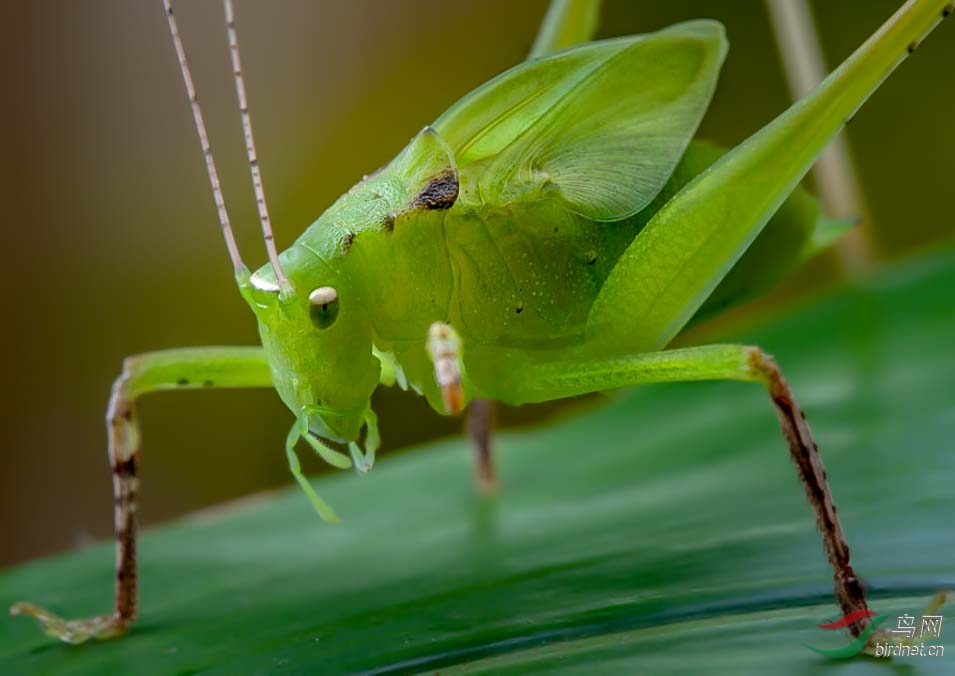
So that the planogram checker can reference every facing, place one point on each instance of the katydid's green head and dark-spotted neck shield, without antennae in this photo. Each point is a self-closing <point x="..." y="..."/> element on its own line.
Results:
<point x="316" y="331"/>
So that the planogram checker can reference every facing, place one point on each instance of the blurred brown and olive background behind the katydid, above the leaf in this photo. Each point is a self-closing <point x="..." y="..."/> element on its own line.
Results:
<point x="112" y="247"/>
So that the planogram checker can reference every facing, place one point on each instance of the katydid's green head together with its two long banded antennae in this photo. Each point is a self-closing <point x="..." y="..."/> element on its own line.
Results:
<point x="316" y="338"/>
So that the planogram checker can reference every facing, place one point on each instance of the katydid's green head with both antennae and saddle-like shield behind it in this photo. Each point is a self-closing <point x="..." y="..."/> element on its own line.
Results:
<point x="315" y="332"/>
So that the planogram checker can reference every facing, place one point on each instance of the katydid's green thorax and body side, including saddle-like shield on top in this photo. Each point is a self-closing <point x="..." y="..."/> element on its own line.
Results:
<point x="414" y="244"/>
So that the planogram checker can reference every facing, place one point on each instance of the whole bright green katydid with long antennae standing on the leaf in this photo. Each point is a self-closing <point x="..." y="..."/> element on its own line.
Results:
<point x="547" y="236"/>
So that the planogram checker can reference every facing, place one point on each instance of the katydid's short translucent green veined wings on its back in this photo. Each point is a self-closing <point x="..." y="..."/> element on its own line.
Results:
<point x="599" y="127"/>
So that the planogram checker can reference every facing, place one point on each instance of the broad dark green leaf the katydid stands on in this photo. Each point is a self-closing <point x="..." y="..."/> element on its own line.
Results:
<point x="662" y="531"/>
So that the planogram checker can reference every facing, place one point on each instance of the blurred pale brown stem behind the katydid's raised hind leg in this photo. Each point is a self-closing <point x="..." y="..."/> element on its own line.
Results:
<point x="835" y="175"/>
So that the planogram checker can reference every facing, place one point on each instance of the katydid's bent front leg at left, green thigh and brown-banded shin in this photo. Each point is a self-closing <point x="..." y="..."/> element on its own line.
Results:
<point x="203" y="367"/>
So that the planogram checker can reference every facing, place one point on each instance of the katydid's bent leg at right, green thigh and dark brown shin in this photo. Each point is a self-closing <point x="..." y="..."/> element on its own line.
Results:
<point x="564" y="378"/>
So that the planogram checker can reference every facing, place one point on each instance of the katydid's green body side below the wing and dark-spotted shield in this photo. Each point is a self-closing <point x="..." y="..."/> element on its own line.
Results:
<point x="518" y="276"/>
